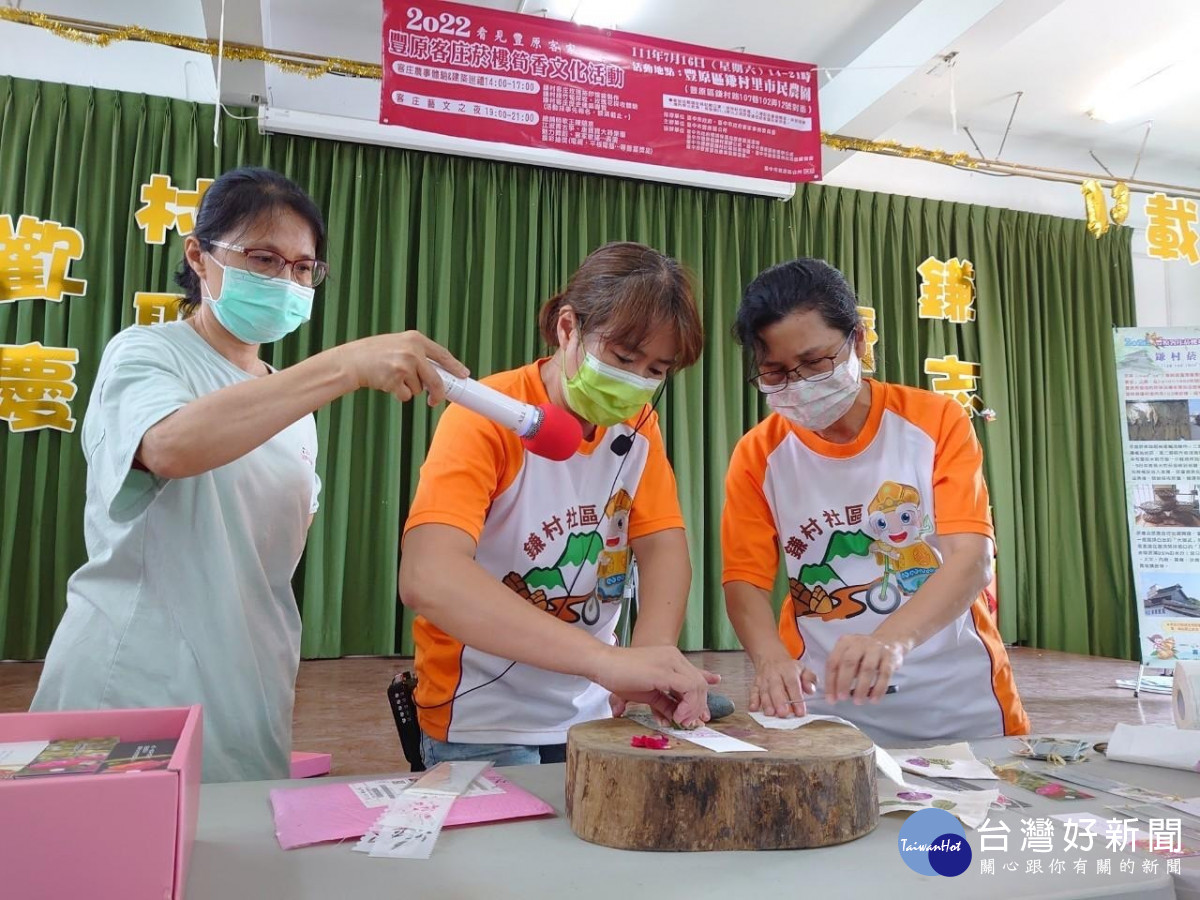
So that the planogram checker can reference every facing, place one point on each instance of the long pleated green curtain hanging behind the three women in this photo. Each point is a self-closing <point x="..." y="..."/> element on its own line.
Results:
<point x="467" y="250"/>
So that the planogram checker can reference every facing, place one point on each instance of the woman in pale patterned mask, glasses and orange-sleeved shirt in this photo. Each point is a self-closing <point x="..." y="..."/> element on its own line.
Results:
<point x="873" y="496"/>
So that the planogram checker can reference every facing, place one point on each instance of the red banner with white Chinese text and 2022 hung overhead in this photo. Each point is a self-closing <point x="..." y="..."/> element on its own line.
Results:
<point x="478" y="74"/>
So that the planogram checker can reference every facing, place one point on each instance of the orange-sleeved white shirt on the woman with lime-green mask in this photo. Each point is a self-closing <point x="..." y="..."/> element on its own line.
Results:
<point x="556" y="533"/>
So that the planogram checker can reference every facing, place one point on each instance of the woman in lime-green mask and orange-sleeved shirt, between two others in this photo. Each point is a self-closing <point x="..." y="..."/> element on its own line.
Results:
<point x="517" y="566"/>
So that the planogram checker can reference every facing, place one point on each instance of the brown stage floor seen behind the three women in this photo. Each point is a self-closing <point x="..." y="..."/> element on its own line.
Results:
<point x="343" y="705"/>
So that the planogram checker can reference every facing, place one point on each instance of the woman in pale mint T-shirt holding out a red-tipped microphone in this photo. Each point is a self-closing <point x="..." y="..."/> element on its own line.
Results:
<point x="202" y="484"/>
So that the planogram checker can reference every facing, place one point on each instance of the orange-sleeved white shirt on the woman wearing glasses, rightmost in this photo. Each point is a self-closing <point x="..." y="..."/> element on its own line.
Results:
<point x="857" y="529"/>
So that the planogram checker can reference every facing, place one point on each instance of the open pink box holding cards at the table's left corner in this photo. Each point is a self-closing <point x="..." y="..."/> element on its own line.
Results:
<point x="104" y="837"/>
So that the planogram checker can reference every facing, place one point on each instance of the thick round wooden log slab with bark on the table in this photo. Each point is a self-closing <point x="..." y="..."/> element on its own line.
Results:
<point x="809" y="788"/>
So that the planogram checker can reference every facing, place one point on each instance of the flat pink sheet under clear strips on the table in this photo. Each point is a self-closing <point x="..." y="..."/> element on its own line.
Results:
<point x="333" y="813"/>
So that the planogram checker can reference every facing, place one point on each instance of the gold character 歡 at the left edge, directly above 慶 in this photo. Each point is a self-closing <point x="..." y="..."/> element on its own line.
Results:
<point x="35" y="259"/>
